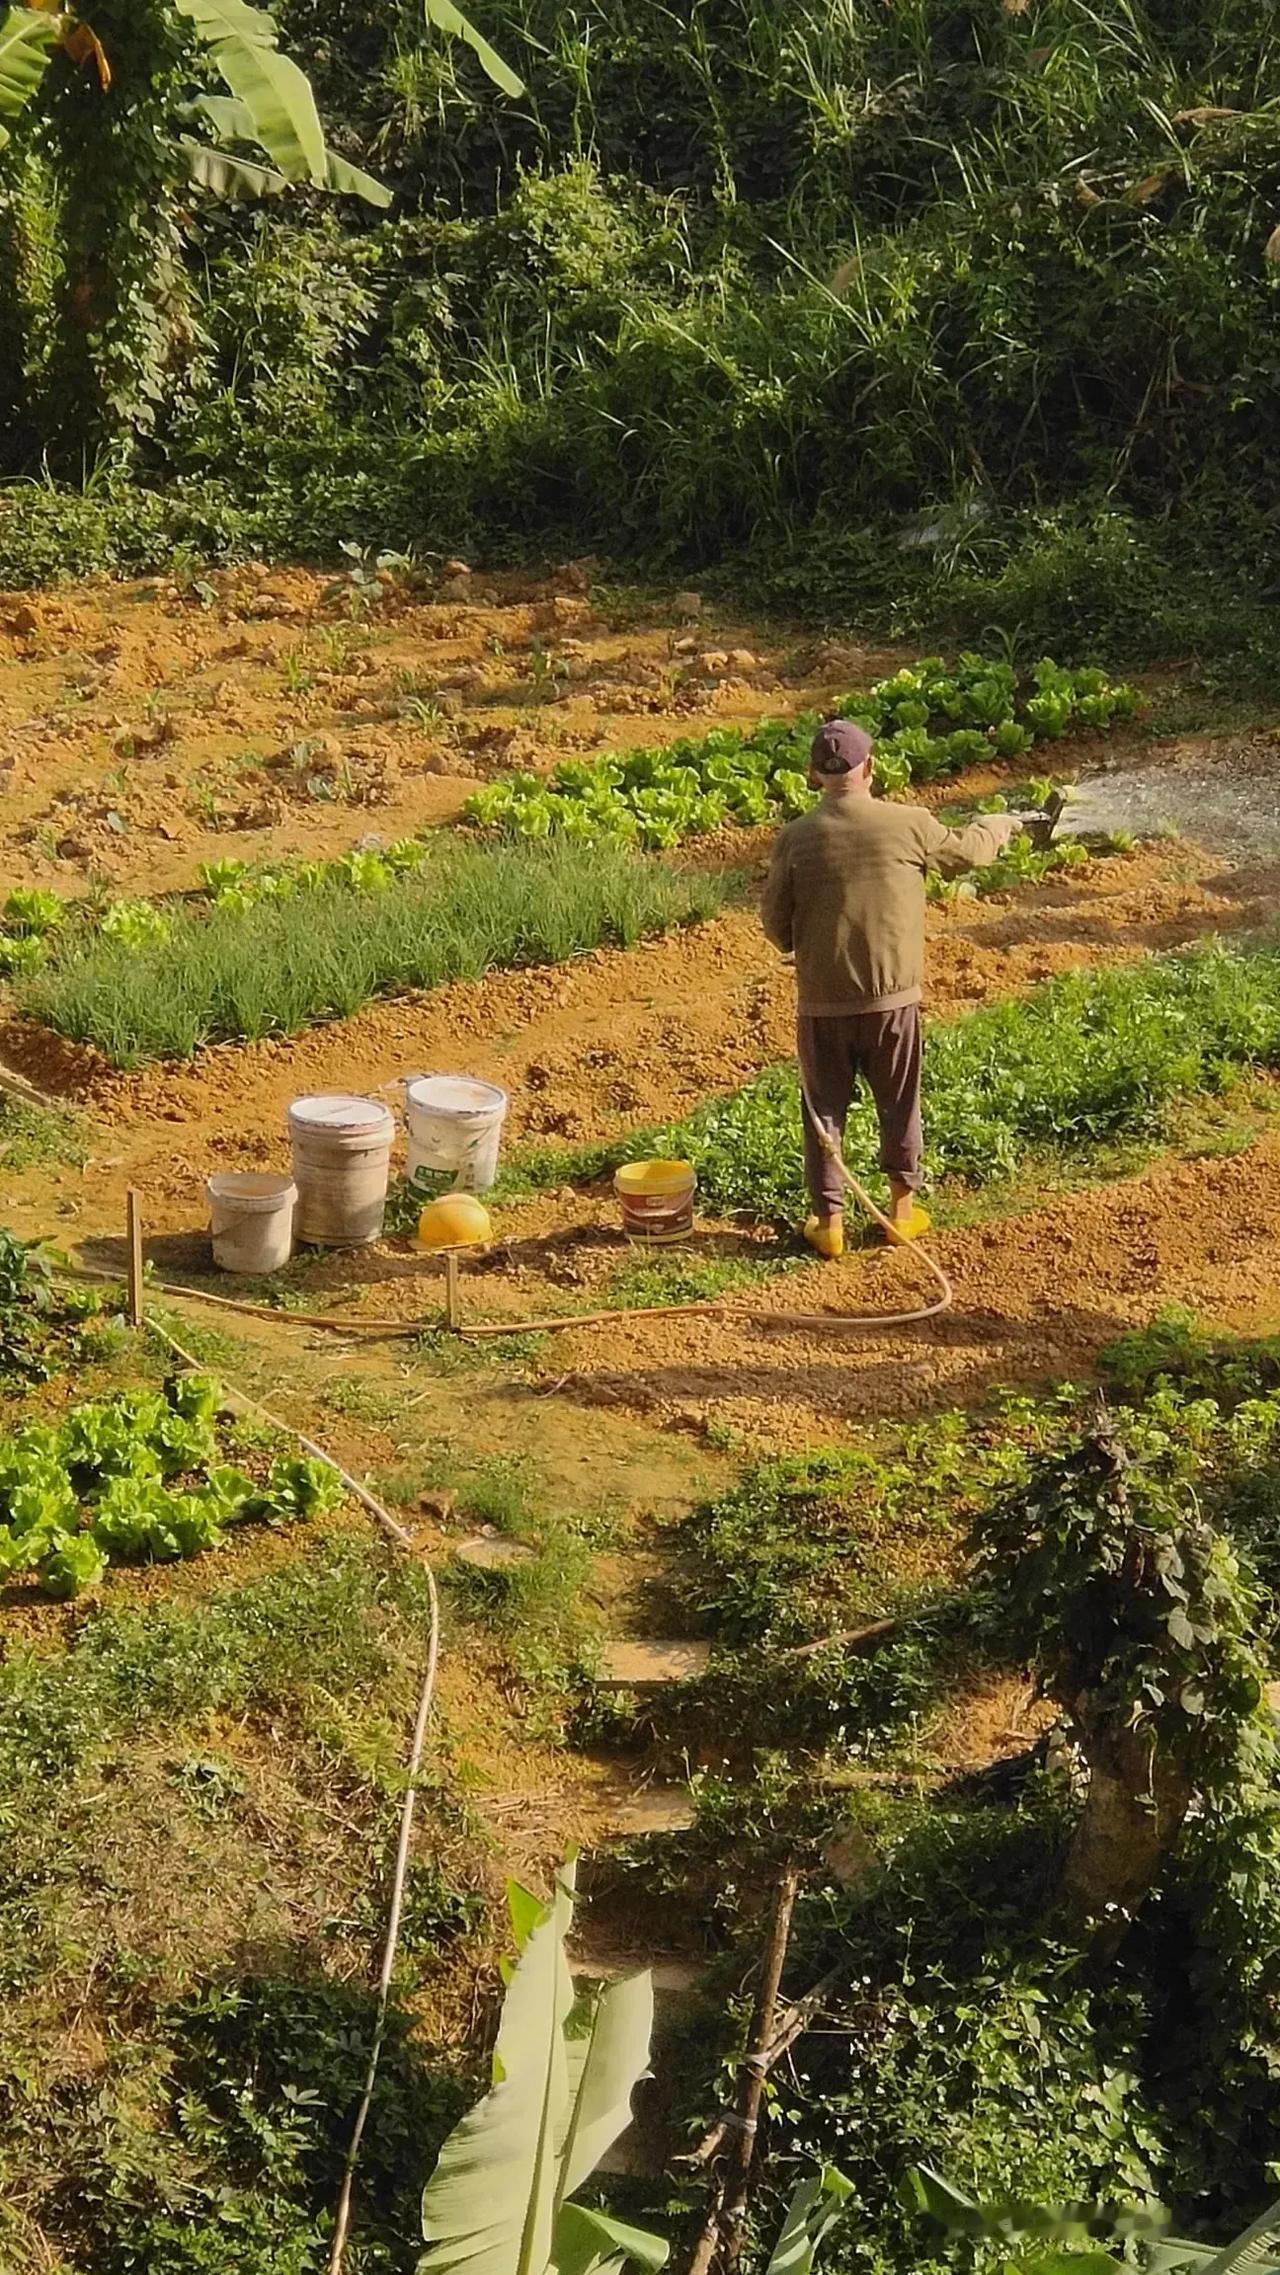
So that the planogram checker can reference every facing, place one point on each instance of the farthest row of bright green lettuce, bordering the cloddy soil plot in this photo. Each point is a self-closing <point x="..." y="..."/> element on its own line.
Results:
<point x="929" y="720"/>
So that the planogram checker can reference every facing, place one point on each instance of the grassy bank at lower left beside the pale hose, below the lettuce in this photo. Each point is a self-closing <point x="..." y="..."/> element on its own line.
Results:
<point x="194" y="1803"/>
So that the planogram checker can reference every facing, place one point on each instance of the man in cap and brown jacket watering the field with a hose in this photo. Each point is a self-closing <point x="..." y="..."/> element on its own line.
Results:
<point x="847" y="900"/>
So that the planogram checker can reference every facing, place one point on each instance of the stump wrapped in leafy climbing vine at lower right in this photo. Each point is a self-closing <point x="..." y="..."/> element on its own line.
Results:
<point x="1140" y="1621"/>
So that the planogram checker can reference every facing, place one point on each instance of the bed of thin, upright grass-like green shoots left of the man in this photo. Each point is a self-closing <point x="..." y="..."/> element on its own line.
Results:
<point x="285" y="966"/>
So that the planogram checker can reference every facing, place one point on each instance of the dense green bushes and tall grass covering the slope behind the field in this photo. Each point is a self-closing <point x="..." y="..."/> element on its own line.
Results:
<point x="749" y="279"/>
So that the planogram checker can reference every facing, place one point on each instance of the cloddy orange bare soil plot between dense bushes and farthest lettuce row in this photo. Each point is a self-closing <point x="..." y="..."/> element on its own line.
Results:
<point x="147" y="729"/>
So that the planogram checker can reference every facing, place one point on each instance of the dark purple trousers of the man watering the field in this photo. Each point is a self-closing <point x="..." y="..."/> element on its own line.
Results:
<point x="883" y="1050"/>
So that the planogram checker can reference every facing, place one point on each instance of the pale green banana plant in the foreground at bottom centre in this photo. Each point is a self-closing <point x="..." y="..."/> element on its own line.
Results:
<point x="501" y="2197"/>
